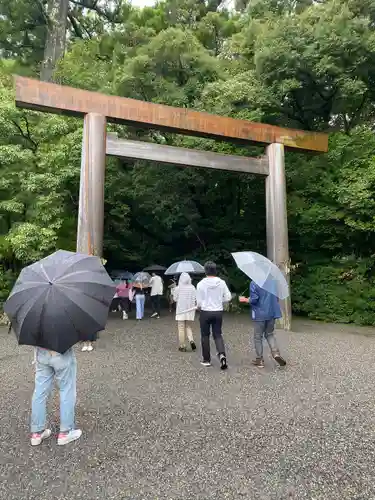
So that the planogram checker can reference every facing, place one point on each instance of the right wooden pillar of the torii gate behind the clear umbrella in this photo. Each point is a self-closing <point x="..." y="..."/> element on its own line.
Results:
<point x="277" y="221"/>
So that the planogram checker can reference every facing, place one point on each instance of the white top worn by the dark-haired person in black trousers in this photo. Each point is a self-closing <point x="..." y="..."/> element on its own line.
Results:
<point x="212" y="293"/>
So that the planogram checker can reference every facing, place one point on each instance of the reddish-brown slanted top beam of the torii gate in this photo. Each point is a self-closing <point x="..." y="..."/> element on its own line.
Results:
<point x="42" y="96"/>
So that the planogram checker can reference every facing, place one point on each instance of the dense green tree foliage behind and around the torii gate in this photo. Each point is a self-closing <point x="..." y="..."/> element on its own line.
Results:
<point x="296" y="63"/>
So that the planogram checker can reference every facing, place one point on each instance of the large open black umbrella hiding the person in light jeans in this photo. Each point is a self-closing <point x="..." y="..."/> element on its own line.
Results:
<point x="60" y="300"/>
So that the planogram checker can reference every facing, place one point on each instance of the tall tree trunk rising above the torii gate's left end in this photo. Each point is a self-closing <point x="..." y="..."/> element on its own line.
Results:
<point x="56" y="37"/>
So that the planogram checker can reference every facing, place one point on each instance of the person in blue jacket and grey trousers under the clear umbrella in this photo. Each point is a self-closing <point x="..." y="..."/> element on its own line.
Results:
<point x="265" y="310"/>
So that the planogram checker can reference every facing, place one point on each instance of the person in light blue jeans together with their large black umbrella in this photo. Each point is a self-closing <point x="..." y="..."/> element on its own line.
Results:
<point x="56" y="303"/>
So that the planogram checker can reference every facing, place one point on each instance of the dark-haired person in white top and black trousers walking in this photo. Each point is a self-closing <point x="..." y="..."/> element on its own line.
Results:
<point x="212" y="293"/>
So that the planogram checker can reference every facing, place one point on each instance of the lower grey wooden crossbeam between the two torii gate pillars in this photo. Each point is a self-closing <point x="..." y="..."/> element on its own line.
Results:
<point x="186" y="157"/>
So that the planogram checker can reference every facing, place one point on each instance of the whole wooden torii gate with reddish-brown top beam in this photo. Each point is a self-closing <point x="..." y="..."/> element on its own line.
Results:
<point x="97" y="109"/>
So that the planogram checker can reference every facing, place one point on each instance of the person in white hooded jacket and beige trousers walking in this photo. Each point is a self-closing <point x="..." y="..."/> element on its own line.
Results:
<point x="185" y="296"/>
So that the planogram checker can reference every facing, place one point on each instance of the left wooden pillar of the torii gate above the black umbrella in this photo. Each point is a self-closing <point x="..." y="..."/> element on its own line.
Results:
<point x="91" y="192"/>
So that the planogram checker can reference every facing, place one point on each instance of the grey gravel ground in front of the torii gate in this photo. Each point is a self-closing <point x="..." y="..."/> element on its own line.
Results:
<point x="158" y="426"/>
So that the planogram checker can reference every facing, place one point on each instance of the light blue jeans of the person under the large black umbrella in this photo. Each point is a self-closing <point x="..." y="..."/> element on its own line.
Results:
<point x="52" y="366"/>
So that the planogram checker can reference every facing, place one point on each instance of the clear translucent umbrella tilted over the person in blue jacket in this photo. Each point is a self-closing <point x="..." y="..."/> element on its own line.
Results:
<point x="263" y="272"/>
